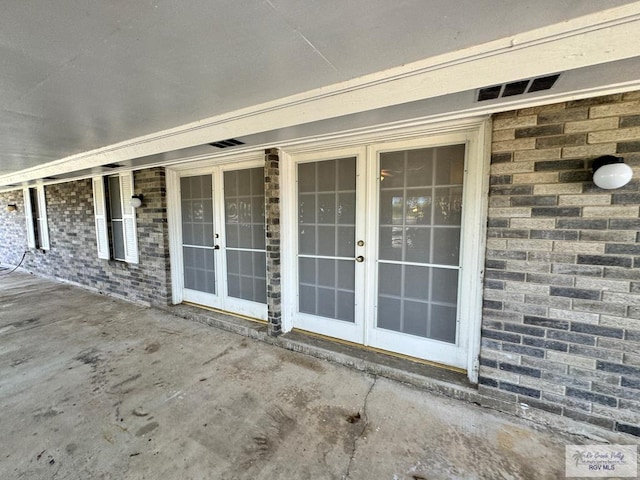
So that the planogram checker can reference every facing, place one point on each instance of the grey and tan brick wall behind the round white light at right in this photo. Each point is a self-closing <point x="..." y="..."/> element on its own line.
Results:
<point x="561" y="319"/>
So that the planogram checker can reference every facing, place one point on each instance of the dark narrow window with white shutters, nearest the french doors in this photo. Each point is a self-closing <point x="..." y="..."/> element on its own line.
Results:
<point x="115" y="217"/>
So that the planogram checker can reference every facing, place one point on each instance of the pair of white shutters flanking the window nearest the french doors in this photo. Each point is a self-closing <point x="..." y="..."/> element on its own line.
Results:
<point x="101" y="215"/>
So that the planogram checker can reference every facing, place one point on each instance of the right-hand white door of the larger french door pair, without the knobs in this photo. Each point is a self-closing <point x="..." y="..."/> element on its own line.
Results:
<point x="417" y="206"/>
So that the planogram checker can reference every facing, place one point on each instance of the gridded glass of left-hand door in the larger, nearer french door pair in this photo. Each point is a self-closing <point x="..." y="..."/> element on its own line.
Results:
<point x="326" y="228"/>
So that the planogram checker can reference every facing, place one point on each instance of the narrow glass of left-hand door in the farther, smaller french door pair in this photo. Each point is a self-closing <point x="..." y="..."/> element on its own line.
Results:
<point x="197" y="233"/>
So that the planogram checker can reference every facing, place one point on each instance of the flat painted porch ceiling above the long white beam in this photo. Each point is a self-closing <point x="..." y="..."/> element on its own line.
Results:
<point x="78" y="75"/>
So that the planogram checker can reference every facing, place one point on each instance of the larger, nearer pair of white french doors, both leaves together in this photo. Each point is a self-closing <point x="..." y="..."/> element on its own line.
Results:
<point x="379" y="253"/>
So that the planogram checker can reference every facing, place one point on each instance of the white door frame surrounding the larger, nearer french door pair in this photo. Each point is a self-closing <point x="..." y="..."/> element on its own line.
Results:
<point x="475" y="133"/>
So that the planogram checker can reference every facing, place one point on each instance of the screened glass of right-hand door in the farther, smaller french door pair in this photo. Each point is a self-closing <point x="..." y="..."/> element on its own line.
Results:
<point x="245" y="231"/>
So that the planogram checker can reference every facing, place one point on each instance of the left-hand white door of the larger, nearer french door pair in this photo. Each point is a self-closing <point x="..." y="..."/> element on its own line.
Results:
<point x="330" y="238"/>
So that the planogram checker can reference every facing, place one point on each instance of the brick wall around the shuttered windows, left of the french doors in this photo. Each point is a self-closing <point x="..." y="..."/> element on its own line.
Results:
<point x="73" y="255"/>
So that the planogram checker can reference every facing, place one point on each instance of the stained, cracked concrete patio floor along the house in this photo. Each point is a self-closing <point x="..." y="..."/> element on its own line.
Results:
<point x="96" y="388"/>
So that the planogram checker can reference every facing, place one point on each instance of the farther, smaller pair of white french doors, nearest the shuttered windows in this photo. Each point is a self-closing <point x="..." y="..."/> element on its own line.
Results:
<point x="222" y="238"/>
